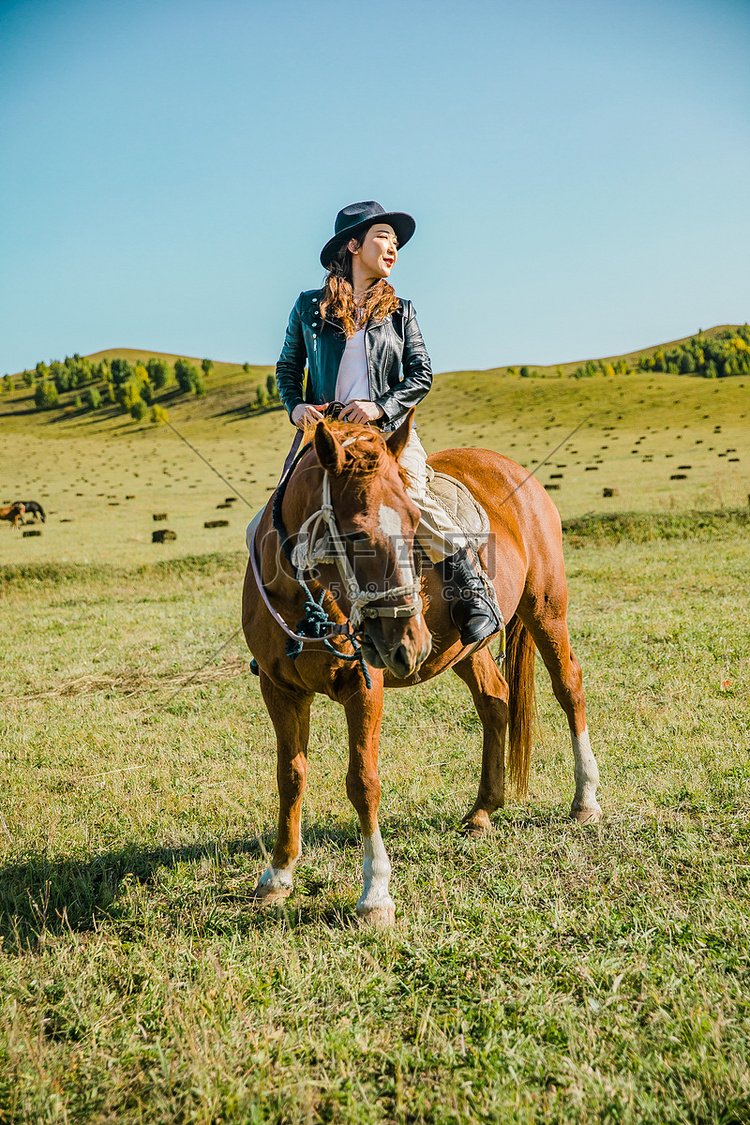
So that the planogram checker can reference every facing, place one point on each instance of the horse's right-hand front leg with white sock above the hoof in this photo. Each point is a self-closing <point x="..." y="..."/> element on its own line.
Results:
<point x="364" y="710"/>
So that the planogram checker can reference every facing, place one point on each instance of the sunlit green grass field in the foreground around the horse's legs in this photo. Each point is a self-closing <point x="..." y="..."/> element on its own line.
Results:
<point x="544" y="974"/>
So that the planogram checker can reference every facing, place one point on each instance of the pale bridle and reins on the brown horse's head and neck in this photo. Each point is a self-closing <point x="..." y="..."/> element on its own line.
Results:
<point x="321" y="542"/>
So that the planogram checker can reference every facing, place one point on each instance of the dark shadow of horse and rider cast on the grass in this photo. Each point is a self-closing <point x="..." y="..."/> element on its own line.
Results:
<point x="43" y="897"/>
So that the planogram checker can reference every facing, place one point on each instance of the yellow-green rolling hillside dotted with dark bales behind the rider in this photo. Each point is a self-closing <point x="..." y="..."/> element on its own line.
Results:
<point x="644" y="442"/>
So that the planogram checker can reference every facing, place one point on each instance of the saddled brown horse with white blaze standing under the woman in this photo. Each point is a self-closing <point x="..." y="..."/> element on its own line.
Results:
<point x="346" y="511"/>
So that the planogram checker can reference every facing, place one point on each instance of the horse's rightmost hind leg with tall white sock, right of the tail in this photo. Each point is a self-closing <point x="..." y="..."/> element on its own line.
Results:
<point x="549" y="632"/>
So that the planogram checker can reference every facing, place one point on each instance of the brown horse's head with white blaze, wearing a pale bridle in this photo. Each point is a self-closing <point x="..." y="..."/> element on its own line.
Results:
<point x="377" y="523"/>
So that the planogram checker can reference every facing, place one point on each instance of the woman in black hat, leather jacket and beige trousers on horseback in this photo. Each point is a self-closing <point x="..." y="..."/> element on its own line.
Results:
<point x="364" y="350"/>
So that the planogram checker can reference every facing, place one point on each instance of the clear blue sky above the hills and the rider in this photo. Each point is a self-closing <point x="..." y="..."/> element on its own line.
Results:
<point x="580" y="170"/>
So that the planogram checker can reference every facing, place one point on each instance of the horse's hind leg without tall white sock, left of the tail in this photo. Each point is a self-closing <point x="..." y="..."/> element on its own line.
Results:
<point x="490" y="694"/>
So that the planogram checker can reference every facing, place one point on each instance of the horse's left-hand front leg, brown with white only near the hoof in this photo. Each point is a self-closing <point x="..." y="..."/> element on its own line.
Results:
<point x="291" y="715"/>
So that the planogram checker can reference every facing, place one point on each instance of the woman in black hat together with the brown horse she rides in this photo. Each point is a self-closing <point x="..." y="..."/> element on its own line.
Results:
<point x="335" y="563"/>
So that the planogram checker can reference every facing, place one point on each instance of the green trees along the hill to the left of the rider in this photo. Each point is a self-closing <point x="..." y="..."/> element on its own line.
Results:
<point x="134" y="388"/>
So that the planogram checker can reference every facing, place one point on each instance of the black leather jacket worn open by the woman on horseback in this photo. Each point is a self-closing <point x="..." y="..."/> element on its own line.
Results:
<point x="399" y="365"/>
